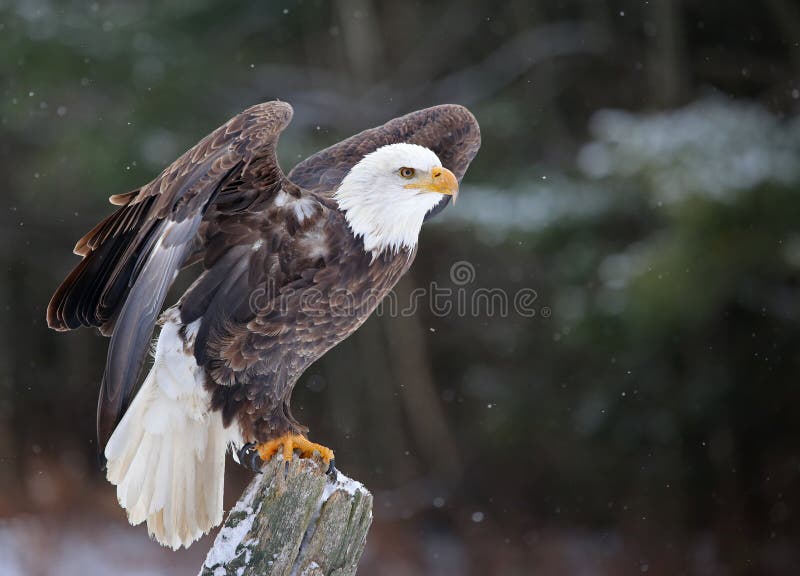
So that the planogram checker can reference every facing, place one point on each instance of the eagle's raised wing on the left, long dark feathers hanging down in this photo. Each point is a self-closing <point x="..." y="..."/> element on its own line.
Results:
<point x="131" y="258"/>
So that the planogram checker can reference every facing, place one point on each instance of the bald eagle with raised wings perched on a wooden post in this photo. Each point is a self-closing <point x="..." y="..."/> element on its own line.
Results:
<point x="290" y="266"/>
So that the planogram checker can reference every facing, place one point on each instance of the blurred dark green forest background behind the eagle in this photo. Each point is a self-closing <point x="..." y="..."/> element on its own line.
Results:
<point x="640" y="171"/>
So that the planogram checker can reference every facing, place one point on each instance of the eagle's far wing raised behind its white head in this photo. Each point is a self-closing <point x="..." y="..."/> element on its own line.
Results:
<point x="450" y="130"/>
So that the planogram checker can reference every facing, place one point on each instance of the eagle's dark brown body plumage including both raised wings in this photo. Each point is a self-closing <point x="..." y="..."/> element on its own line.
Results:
<point x="271" y="269"/>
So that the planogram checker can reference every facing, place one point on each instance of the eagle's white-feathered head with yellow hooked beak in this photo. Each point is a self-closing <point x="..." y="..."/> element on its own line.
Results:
<point x="386" y="196"/>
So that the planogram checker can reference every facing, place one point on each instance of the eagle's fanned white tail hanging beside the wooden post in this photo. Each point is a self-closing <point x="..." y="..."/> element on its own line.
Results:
<point x="167" y="455"/>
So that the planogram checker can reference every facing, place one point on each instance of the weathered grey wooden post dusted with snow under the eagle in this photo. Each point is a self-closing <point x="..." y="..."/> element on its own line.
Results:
<point x="293" y="520"/>
